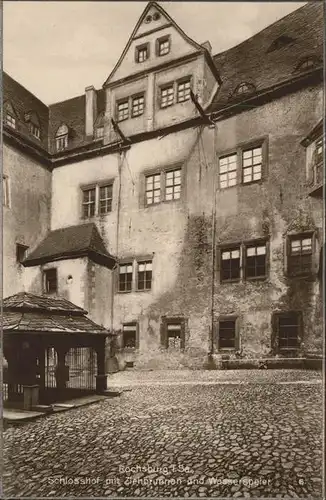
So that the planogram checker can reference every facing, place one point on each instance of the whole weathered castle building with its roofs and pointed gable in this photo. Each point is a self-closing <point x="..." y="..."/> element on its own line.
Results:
<point x="189" y="224"/>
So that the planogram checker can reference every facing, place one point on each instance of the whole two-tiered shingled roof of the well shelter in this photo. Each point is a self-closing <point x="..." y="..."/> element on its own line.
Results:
<point x="28" y="313"/>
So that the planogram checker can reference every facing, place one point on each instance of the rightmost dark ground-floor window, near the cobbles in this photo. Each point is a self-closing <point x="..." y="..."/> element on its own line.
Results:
<point x="288" y="327"/>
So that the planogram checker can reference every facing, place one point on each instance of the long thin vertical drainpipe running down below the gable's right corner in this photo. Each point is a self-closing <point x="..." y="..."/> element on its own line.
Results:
<point x="211" y="351"/>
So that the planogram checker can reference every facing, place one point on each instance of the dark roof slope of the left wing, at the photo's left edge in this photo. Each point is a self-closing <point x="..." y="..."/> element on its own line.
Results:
<point x="23" y="101"/>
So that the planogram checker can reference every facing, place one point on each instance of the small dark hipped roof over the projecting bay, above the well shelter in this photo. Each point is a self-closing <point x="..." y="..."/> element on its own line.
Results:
<point x="71" y="242"/>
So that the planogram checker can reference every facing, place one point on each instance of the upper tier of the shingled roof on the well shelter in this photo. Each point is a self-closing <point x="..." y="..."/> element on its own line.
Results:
<point x="24" y="301"/>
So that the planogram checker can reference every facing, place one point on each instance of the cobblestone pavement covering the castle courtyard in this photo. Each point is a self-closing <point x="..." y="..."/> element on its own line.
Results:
<point x="239" y="440"/>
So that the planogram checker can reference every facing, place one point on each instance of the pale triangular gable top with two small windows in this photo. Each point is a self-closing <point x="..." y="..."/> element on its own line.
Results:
<point x="153" y="24"/>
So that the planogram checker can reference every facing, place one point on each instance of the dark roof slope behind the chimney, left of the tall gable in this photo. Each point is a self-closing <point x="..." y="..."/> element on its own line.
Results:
<point x="72" y="114"/>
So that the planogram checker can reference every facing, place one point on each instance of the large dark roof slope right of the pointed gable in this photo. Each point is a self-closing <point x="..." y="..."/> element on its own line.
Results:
<point x="252" y="62"/>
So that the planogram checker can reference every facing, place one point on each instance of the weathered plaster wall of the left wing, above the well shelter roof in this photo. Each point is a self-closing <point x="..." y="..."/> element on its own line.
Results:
<point x="27" y="219"/>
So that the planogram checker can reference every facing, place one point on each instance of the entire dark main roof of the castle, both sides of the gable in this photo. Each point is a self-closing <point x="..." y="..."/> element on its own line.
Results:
<point x="252" y="61"/>
